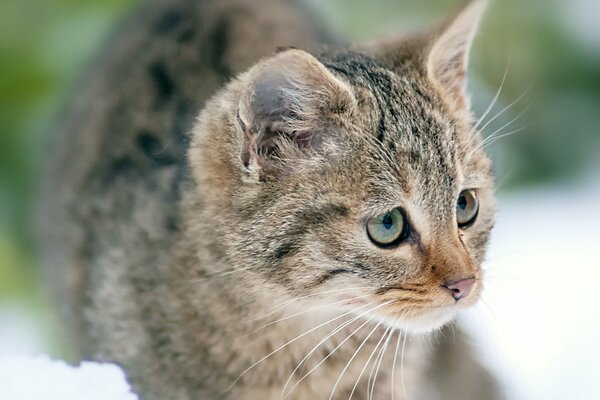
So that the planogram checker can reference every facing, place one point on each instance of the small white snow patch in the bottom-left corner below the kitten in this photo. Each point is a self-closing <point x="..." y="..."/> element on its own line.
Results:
<point x="39" y="377"/>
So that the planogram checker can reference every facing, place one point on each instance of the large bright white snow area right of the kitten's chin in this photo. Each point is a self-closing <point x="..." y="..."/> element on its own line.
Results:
<point x="538" y="326"/>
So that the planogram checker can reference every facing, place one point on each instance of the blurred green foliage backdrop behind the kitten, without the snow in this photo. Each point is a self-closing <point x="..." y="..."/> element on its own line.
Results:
<point x="45" y="45"/>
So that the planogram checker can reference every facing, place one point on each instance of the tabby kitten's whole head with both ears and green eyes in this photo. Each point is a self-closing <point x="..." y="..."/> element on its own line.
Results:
<point x="353" y="178"/>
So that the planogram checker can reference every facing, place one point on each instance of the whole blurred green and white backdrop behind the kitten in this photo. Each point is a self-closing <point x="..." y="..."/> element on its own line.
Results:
<point x="539" y="328"/>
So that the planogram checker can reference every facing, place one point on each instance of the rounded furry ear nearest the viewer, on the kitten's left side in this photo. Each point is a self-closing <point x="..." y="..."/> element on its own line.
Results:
<point x="286" y="108"/>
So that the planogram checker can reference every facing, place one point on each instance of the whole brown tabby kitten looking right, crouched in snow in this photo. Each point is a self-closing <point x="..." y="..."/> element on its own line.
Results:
<point x="329" y="207"/>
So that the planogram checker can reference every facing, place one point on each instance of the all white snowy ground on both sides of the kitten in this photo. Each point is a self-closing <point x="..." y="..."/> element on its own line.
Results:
<point x="538" y="327"/>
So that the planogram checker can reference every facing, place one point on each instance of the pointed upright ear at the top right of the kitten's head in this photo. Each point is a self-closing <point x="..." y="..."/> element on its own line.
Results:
<point x="443" y="51"/>
